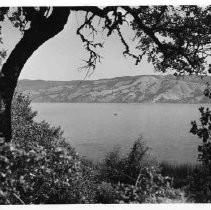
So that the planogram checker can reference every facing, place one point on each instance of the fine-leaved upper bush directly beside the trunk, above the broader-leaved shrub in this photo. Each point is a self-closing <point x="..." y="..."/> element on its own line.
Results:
<point x="26" y="132"/>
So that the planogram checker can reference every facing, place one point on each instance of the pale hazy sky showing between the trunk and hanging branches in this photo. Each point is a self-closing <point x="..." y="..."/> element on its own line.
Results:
<point x="60" y="57"/>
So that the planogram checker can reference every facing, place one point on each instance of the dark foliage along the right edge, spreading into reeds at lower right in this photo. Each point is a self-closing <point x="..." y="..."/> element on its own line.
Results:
<point x="196" y="180"/>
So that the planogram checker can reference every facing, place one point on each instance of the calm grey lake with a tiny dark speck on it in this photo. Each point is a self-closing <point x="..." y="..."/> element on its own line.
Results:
<point x="94" y="129"/>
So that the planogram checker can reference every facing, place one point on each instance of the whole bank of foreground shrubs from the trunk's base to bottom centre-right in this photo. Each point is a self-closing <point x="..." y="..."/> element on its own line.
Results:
<point x="38" y="166"/>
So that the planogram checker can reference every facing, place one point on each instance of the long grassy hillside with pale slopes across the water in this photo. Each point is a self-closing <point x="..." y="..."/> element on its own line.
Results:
<point x="136" y="89"/>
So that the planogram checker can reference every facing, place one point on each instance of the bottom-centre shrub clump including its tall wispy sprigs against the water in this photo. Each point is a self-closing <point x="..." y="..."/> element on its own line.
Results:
<point x="134" y="179"/>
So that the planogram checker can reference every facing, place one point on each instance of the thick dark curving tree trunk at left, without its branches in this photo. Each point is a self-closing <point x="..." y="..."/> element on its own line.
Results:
<point x="40" y="32"/>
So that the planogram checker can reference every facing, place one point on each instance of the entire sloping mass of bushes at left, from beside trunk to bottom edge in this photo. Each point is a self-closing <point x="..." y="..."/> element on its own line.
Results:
<point x="41" y="167"/>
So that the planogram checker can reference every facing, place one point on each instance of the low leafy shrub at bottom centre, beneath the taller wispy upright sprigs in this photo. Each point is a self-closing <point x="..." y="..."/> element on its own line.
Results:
<point x="150" y="187"/>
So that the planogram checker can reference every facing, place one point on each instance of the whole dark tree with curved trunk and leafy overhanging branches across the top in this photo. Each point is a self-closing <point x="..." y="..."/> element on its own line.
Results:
<point x="175" y="38"/>
